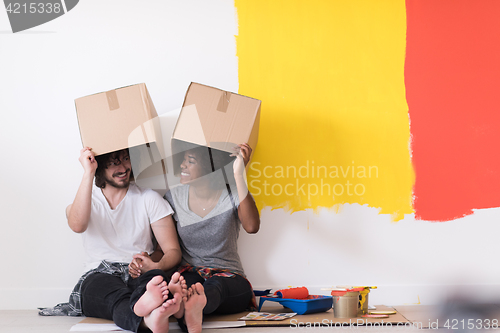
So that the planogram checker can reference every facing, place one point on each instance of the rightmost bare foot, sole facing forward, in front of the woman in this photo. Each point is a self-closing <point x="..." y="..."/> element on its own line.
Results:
<point x="194" y="303"/>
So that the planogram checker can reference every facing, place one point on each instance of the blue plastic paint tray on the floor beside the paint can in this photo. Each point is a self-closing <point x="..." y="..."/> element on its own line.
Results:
<point x="312" y="304"/>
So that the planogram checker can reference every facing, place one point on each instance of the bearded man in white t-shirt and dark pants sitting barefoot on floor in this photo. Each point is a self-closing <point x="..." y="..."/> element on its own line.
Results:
<point x="116" y="218"/>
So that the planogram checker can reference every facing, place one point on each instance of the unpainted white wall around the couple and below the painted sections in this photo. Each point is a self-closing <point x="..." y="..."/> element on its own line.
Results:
<point x="101" y="45"/>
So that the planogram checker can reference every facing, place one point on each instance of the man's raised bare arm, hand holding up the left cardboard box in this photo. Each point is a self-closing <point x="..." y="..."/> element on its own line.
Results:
<point x="78" y="213"/>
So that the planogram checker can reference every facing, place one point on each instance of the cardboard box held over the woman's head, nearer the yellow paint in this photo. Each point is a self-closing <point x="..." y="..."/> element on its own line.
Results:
<point x="215" y="118"/>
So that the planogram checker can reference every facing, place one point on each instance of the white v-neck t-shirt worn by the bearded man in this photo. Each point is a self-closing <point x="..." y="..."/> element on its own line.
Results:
<point x="117" y="234"/>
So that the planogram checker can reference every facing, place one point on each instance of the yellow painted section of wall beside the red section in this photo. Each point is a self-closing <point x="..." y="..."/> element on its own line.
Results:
<point x="334" y="125"/>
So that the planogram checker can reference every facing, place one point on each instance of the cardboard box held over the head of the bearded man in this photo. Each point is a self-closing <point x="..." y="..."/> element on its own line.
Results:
<point x="123" y="118"/>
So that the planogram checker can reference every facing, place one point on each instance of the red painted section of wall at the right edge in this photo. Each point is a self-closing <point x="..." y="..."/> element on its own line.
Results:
<point x="452" y="77"/>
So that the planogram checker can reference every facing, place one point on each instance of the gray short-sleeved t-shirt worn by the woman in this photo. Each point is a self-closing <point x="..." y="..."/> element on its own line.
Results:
<point x="210" y="241"/>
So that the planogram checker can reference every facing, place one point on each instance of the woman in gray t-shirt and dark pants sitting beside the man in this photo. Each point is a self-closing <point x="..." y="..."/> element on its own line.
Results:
<point x="209" y="206"/>
